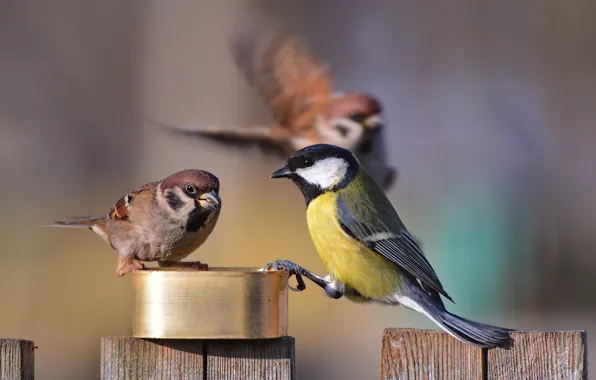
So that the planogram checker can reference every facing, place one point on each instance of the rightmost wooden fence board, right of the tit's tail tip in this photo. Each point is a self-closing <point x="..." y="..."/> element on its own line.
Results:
<point x="541" y="355"/>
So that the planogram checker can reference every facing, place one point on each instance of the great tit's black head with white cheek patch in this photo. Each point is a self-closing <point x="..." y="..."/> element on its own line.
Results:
<point x="319" y="168"/>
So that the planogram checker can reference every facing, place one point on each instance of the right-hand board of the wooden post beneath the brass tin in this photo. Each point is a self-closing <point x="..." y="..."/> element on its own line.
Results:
<point x="270" y="359"/>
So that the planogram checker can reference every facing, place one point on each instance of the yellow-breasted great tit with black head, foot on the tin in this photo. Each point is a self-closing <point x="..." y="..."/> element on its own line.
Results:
<point x="368" y="252"/>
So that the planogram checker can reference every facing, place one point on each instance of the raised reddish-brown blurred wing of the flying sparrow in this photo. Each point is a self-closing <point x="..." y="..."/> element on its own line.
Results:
<point x="282" y="69"/>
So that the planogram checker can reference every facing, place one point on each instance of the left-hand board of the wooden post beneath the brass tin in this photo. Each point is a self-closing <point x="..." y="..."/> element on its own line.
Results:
<point x="152" y="359"/>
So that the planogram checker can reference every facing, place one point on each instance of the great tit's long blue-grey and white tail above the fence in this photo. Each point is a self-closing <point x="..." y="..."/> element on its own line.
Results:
<point x="474" y="333"/>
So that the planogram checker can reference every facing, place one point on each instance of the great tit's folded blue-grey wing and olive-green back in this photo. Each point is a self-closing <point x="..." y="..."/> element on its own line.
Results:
<point x="371" y="219"/>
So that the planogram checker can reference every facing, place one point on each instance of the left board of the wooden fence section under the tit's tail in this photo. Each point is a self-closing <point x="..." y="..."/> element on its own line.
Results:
<point x="428" y="354"/>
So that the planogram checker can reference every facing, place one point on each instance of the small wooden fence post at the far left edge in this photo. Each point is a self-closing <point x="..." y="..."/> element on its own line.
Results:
<point x="17" y="359"/>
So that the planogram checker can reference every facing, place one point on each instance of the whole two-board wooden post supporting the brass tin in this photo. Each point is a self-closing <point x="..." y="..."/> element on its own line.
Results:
<point x="135" y="358"/>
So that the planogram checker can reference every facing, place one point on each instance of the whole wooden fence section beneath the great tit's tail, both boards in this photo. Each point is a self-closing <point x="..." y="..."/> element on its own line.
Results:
<point x="432" y="354"/>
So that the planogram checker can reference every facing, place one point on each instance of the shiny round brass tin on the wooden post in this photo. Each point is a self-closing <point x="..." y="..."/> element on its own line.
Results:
<point x="221" y="303"/>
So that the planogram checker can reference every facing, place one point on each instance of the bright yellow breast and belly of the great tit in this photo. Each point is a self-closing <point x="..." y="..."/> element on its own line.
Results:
<point x="346" y="259"/>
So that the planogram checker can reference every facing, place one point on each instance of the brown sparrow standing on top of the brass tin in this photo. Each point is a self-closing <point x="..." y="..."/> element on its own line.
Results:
<point x="162" y="221"/>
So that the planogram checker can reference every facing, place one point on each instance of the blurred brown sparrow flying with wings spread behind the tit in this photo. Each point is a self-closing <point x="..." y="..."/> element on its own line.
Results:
<point x="298" y="90"/>
